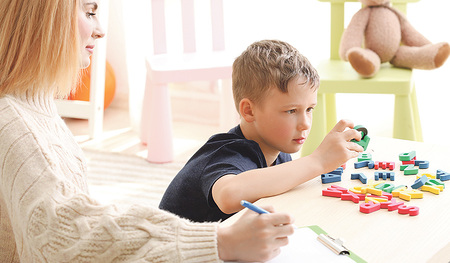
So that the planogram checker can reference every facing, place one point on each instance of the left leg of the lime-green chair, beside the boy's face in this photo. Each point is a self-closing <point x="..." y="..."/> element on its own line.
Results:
<point x="319" y="127"/>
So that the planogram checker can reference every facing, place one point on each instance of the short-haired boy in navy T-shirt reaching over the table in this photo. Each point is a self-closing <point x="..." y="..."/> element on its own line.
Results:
<point x="275" y="91"/>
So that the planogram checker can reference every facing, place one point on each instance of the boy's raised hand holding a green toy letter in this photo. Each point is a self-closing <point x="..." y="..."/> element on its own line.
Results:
<point x="337" y="148"/>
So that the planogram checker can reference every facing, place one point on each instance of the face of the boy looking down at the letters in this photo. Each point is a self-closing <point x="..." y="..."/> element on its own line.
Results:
<point x="283" y="120"/>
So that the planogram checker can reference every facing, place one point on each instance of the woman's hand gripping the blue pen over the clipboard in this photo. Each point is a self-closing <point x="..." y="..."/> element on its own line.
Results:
<point x="255" y="237"/>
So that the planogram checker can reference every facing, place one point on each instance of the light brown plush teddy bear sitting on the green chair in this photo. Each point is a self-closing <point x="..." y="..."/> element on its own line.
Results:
<point x="388" y="37"/>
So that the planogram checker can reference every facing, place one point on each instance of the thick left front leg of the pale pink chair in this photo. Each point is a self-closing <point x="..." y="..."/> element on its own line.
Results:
<point x="158" y="124"/>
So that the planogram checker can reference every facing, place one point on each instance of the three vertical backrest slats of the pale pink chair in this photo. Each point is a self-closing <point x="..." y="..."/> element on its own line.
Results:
<point x="188" y="25"/>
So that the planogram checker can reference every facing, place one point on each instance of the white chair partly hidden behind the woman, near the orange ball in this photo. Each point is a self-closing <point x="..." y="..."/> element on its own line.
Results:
<point x="91" y="110"/>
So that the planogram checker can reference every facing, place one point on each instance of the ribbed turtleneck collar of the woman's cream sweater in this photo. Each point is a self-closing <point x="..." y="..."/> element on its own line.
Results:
<point x="39" y="103"/>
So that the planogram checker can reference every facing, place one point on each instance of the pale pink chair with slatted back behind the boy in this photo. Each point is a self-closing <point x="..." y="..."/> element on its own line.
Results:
<point x="191" y="65"/>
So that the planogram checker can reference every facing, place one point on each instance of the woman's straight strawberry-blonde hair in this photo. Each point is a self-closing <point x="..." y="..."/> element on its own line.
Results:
<point x="39" y="46"/>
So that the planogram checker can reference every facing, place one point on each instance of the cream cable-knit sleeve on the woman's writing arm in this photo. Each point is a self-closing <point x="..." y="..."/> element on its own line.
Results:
<point x="77" y="229"/>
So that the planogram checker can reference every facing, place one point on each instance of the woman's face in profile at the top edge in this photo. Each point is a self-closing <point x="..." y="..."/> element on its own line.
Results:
<point x="89" y="28"/>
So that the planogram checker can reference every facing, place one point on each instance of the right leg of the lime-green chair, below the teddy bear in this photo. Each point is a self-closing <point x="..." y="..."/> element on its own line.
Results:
<point x="404" y="127"/>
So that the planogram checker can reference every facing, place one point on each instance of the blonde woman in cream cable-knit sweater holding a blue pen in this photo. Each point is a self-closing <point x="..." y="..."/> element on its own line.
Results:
<point x="46" y="213"/>
